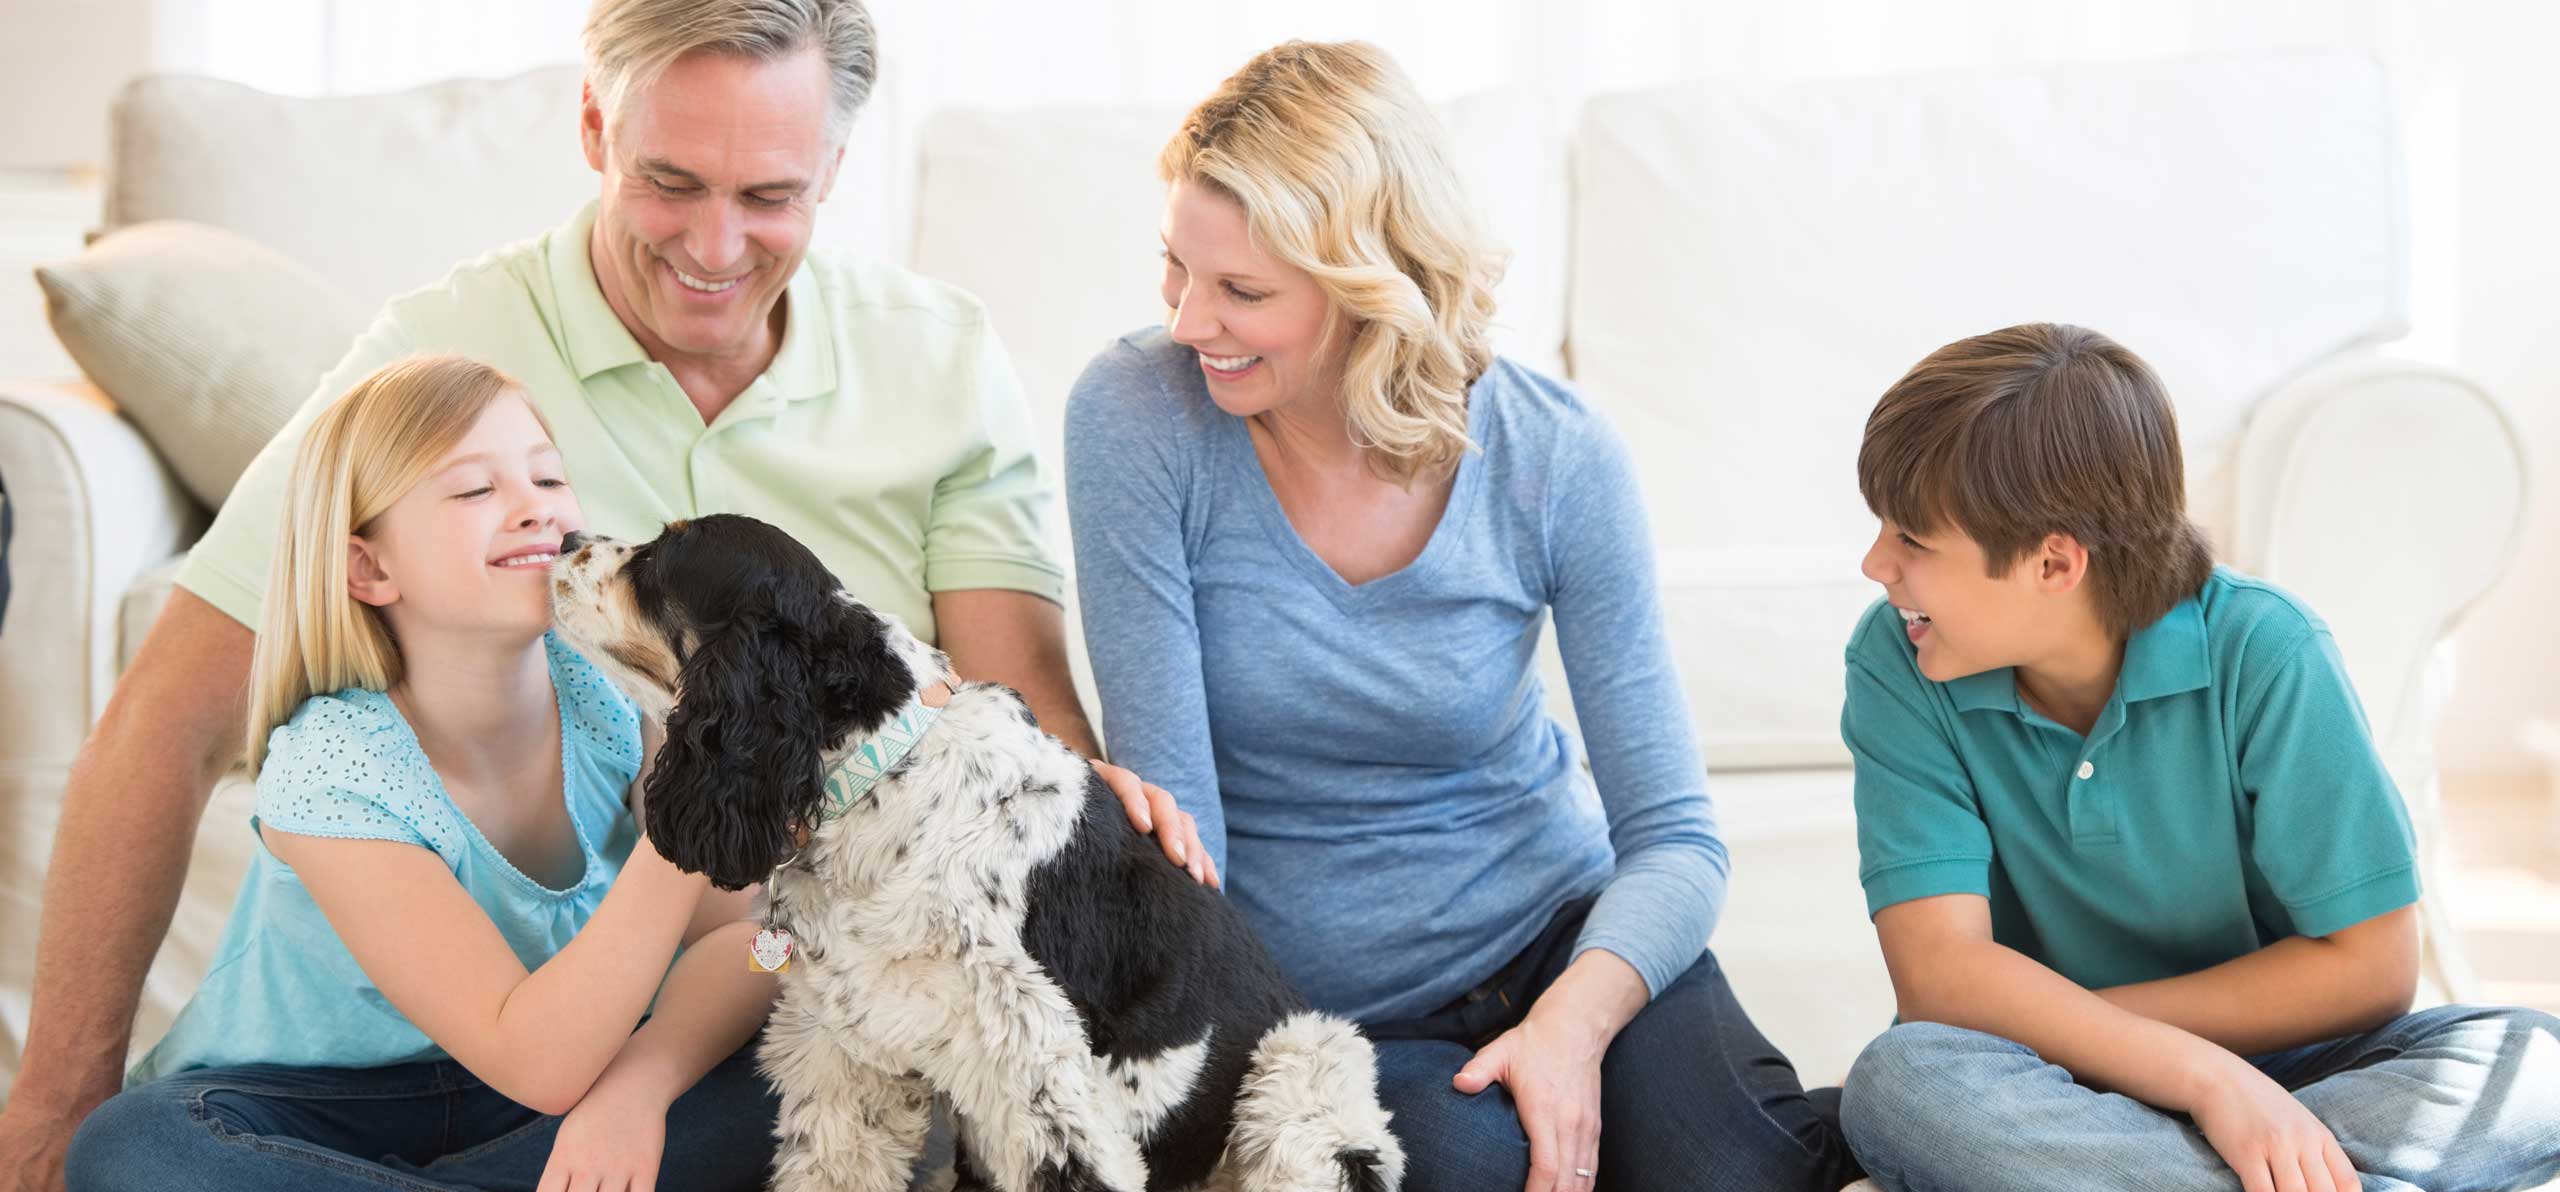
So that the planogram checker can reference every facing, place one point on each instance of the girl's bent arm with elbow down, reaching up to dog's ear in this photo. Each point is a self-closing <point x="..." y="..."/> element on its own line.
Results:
<point x="539" y="1037"/>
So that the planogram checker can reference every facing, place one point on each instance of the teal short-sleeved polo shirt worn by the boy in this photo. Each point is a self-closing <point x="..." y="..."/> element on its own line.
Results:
<point x="2226" y="799"/>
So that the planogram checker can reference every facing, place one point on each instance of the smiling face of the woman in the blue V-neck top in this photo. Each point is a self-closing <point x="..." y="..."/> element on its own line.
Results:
<point x="1258" y="321"/>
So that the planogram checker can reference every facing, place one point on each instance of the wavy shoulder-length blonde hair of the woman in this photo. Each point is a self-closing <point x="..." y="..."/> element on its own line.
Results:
<point x="1345" y="173"/>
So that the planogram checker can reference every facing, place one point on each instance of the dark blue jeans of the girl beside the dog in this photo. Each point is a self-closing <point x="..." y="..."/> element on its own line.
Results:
<point x="406" y="1129"/>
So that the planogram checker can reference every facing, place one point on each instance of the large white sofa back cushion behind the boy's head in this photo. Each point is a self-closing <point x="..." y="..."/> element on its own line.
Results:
<point x="1757" y="262"/>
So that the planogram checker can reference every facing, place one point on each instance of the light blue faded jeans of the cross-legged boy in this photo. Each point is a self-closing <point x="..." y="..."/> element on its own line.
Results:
<point x="2444" y="1101"/>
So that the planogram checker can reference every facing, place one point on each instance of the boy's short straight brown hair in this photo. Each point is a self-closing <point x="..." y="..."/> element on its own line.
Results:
<point x="2044" y="431"/>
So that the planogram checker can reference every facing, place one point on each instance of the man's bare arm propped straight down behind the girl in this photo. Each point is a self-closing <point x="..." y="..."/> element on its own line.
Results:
<point x="119" y="863"/>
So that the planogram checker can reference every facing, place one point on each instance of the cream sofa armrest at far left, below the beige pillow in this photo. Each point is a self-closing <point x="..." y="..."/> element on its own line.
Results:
<point x="93" y="510"/>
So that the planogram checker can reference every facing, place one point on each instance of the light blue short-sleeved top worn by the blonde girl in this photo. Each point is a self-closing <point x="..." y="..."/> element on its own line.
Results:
<point x="283" y="986"/>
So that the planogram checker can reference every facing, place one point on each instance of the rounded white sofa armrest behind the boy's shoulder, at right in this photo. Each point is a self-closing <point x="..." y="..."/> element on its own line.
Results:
<point x="2392" y="498"/>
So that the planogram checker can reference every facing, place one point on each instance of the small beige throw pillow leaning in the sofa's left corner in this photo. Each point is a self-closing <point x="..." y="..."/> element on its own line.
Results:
<point x="206" y="341"/>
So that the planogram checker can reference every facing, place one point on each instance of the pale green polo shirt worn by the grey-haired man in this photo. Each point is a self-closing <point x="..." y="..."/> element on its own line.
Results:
<point x="890" y="431"/>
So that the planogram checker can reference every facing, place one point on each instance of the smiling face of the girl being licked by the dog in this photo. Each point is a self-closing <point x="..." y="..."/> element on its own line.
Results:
<point x="470" y="549"/>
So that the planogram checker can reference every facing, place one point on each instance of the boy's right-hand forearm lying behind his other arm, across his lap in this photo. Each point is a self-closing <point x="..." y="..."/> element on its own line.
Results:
<point x="2292" y="994"/>
